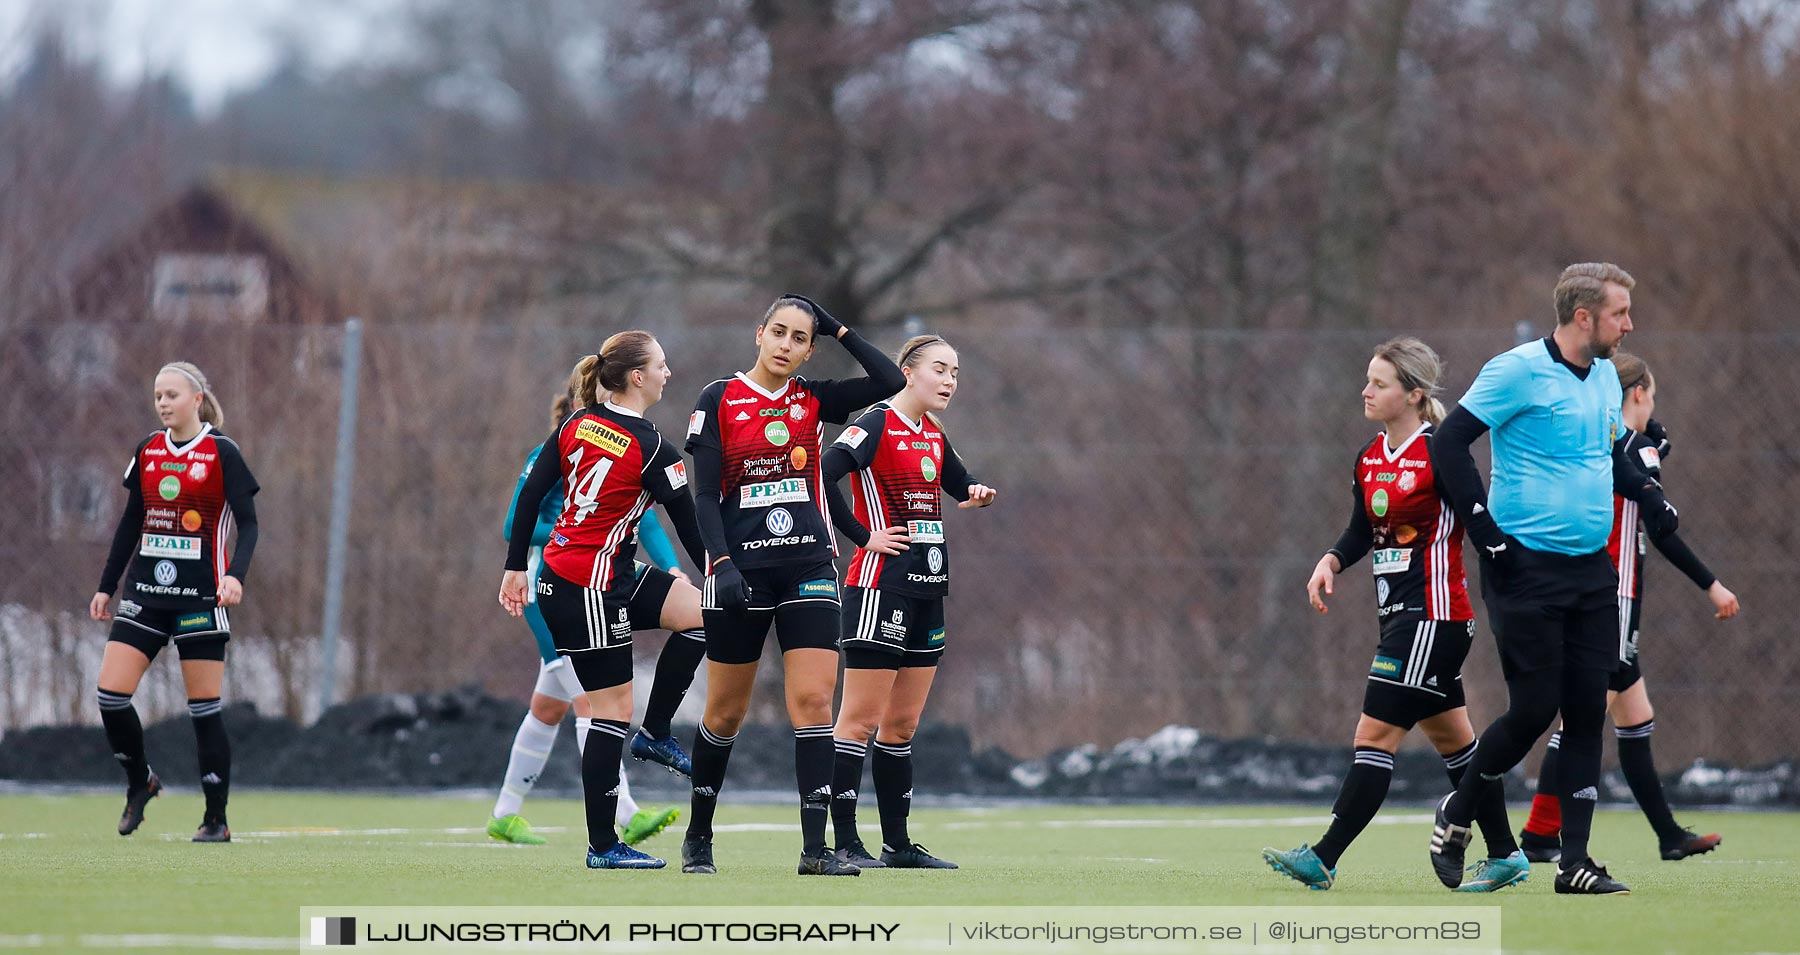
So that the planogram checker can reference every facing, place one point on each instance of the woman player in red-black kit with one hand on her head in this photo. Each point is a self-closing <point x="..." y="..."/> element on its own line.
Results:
<point x="755" y="442"/>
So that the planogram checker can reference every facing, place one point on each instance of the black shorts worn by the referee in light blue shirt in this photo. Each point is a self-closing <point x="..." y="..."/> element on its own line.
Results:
<point x="1554" y="611"/>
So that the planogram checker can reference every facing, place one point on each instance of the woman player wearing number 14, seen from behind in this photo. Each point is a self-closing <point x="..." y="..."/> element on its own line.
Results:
<point x="591" y="591"/>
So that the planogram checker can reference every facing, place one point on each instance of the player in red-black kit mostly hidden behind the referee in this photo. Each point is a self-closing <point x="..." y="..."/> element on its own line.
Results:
<point x="1646" y="447"/>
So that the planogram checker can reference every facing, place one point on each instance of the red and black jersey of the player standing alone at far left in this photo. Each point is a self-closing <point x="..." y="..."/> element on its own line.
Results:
<point x="188" y="495"/>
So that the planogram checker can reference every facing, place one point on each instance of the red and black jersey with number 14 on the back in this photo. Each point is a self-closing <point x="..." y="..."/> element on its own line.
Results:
<point x="615" y="467"/>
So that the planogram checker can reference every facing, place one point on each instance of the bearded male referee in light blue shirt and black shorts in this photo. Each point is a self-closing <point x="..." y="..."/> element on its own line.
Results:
<point x="1551" y="589"/>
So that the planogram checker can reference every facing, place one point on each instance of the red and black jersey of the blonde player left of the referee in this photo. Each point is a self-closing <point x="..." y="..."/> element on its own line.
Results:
<point x="1410" y="530"/>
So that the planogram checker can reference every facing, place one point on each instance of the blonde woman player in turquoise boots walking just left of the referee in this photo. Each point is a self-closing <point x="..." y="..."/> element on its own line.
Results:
<point x="1426" y="621"/>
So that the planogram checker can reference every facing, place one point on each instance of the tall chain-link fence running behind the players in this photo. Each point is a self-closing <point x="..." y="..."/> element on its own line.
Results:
<point x="1164" y="497"/>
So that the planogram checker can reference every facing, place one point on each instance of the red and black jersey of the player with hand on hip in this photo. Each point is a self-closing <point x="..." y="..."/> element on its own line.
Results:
<point x="899" y="469"/>
